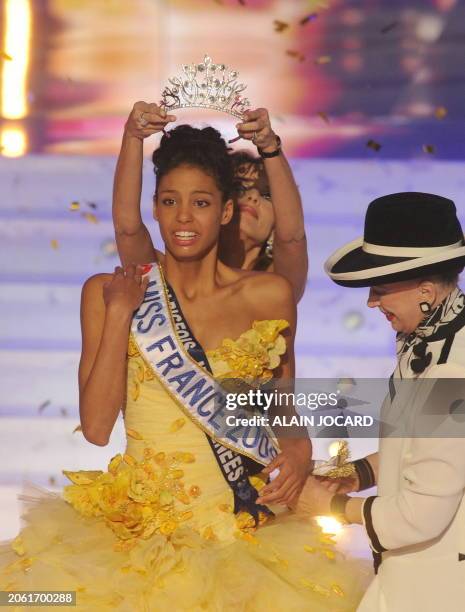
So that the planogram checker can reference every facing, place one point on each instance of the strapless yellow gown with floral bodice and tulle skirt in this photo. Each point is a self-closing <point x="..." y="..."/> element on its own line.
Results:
<point x="156" y="532"/>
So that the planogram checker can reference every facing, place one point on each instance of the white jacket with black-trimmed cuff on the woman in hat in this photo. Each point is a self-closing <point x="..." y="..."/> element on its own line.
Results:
<point x="417" y="521"/>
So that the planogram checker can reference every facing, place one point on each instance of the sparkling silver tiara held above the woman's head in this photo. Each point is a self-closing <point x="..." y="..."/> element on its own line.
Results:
<point x="206" y="85"/>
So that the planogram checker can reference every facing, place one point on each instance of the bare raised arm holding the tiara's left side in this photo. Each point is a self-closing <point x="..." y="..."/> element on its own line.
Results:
<point x="132" y="236"/>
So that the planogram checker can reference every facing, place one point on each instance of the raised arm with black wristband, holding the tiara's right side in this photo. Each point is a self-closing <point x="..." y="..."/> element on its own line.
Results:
<point x="290" y="257"/>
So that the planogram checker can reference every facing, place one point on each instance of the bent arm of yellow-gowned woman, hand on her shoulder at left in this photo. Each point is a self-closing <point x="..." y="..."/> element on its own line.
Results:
<point x="107" y="305"/>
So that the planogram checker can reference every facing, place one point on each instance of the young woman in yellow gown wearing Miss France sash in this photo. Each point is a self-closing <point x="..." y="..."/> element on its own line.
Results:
<point x="174" y="524"/>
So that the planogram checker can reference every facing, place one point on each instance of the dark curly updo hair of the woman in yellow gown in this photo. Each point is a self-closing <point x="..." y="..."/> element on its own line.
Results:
<point x="201" y="148"/>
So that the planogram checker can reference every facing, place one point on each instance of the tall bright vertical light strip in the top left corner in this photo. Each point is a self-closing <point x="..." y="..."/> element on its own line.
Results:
<point x="16" y="44"/>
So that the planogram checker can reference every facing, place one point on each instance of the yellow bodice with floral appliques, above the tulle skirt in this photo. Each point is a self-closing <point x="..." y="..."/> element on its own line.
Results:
<point x="168" y="475"/>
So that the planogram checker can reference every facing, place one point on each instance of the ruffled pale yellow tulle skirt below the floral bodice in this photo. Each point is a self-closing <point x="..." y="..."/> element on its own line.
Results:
<point x="288" y="564"/>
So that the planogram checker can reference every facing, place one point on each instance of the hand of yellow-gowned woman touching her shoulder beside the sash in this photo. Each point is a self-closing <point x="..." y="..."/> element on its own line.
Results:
<point x="126" y="288"/>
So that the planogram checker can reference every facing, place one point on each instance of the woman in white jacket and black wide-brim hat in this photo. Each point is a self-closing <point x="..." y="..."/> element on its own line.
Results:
<point x="410" y="256"/>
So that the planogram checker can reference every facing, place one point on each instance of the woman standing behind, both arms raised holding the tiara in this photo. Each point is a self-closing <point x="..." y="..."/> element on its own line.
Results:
<point x="267" y="231"/>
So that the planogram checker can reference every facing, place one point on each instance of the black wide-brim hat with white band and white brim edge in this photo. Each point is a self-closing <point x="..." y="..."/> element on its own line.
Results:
<point x="407" y="235"/>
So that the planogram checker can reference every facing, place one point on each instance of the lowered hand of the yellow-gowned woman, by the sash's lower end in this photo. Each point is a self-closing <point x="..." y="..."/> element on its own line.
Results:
<point x="293" y="463"/>
